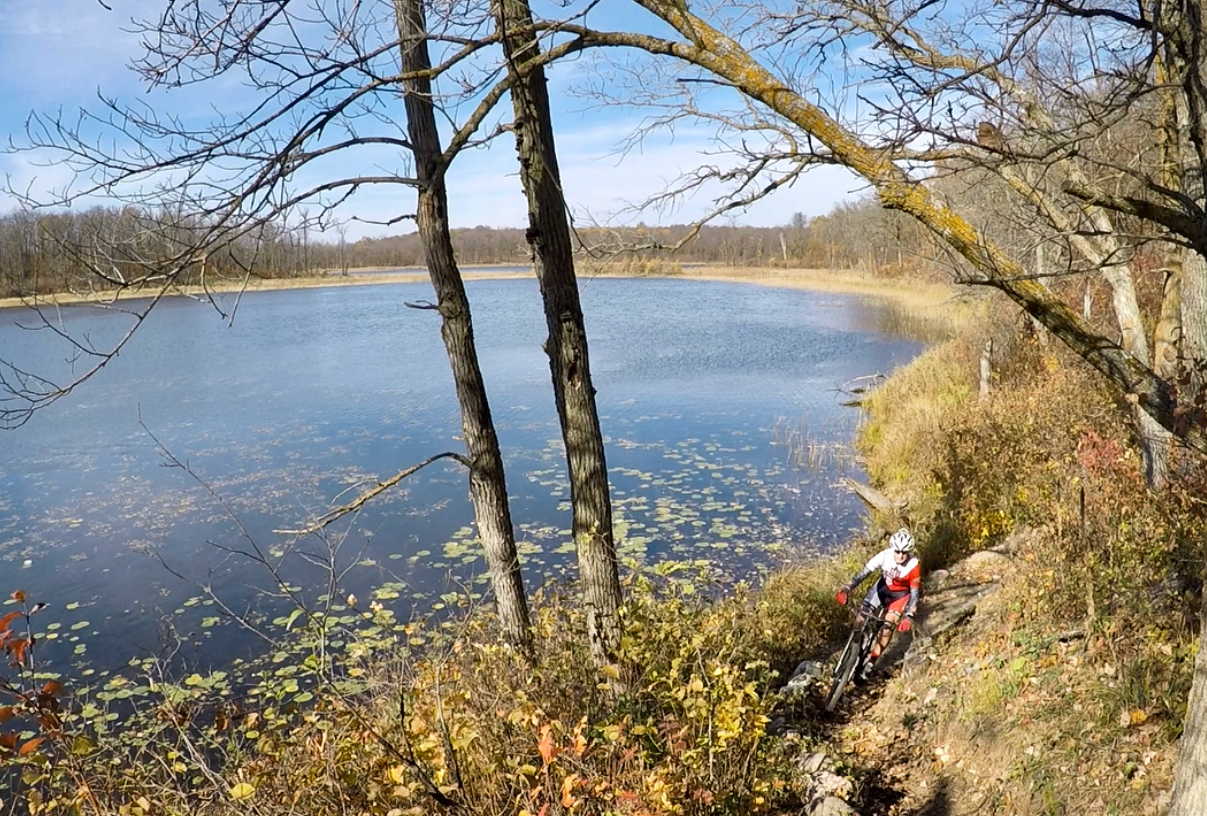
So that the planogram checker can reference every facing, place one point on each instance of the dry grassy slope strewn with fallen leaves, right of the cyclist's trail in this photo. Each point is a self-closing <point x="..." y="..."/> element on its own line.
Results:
<point x="1022" y="716"/>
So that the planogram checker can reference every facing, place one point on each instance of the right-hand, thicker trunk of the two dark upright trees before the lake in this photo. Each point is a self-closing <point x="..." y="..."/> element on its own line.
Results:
<point x="550" y="240"/>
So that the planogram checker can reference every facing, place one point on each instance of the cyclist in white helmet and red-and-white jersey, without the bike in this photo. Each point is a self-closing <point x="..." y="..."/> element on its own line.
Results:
<point x="901" y="582"/>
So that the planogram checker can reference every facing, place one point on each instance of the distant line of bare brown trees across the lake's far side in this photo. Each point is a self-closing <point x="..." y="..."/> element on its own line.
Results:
<point x="42" y="253"/>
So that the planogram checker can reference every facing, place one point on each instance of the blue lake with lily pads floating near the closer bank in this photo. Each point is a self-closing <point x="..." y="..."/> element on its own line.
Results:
<point x="720" y="405"/>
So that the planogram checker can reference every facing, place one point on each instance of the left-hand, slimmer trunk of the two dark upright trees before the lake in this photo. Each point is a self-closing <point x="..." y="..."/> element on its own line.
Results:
<point x="488" y="487"/>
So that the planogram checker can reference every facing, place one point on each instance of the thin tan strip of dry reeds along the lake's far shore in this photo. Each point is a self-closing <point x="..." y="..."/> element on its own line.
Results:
<point x="919" y="294"/>
